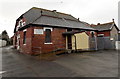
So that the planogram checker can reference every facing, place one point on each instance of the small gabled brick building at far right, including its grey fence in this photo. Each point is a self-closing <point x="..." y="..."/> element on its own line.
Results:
<point x="107" y="35"/>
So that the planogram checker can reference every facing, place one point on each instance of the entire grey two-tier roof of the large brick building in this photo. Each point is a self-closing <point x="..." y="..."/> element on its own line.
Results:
<point x="41" y="16"/>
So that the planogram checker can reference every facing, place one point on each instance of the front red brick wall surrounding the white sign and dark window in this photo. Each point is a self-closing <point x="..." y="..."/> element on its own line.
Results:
<point x="58" y="40"/>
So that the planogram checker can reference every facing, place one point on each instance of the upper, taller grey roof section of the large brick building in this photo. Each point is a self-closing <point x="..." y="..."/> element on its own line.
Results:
<point x="35" y="13"/>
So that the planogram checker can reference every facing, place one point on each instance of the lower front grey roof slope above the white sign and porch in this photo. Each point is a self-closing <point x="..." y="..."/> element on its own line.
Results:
<point x="44" y="20"/>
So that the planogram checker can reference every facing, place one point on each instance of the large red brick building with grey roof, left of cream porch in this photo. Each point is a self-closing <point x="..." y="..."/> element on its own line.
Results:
<point x="41" y="31"/>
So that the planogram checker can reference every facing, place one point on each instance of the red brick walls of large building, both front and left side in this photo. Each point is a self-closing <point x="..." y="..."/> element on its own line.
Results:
<point x="36" y="42"/>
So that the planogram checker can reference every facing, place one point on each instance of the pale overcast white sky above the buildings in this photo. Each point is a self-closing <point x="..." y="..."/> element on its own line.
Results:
<point x="90" y="11"/>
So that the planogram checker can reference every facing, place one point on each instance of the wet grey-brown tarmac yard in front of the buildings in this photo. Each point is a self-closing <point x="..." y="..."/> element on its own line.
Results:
<point x="87" y="64"/>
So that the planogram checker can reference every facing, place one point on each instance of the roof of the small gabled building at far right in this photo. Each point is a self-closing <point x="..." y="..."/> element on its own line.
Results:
<point x="104" y="27"/>
